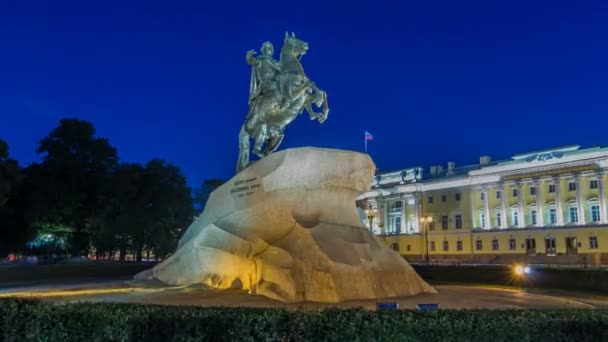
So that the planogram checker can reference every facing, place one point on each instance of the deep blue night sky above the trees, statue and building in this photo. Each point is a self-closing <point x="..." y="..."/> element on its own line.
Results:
<point x="434" y="81"/>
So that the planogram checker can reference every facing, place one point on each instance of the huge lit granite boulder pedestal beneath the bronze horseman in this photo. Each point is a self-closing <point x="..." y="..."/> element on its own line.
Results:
<point x="287" y="228"/>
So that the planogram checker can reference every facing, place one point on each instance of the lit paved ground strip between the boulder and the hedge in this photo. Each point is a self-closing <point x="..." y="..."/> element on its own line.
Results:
<point x="449" y="297"/>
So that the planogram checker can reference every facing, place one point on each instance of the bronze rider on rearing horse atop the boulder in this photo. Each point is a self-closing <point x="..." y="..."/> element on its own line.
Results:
<point x="279" y="92"/>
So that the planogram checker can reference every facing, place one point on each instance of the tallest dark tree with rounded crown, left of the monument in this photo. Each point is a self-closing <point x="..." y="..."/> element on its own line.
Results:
<point x="75" y="165"/>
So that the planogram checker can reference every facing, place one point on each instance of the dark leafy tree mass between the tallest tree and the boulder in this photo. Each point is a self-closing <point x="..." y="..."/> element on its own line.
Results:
<point x="143" y="208"/>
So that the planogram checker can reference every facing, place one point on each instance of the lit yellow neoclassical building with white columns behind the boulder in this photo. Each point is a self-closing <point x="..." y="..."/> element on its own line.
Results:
<point x="540" y="207"/>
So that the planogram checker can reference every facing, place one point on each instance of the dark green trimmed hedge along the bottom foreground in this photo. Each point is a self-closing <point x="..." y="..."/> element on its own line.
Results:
<point x="37" y="321"/>
